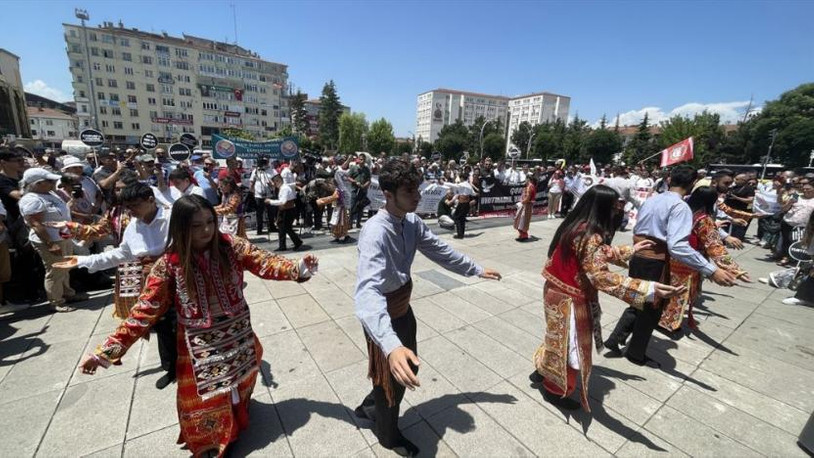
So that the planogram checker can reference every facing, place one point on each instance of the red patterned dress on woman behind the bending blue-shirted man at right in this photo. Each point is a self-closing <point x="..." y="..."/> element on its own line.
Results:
<point x="706" y="240"/>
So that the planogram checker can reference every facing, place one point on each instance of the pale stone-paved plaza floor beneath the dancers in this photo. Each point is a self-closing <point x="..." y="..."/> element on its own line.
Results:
<point x="742" y="385"/>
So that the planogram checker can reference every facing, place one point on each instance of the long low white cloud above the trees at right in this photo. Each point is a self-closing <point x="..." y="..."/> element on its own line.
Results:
<point x="730" y="112"/>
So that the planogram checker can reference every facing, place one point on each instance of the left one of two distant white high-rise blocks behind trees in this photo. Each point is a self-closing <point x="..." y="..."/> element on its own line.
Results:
<point x="440" y="107"/>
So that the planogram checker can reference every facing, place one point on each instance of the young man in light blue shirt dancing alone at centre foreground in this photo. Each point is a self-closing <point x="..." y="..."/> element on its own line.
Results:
<point x="387" y="247"/>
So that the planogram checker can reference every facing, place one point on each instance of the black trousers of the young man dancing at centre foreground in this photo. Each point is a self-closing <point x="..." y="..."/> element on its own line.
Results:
<point x="387" y="418"/>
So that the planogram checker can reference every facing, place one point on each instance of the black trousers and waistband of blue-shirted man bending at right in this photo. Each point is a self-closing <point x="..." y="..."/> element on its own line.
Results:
<point x="639" y="323"/>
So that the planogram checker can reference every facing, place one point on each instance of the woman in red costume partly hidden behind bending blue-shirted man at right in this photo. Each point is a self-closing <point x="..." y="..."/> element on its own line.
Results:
<point x="706" y="240"/>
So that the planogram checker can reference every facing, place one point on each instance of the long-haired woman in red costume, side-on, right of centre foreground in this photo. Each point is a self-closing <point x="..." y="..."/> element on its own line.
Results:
<point x="576" y="270"/>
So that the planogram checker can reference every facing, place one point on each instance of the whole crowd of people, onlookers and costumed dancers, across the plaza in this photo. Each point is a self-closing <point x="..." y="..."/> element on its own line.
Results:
<point x="174" y="234"/>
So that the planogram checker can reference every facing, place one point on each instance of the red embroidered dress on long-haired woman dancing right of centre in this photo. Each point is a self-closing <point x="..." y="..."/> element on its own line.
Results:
<point x="571" y="288"/>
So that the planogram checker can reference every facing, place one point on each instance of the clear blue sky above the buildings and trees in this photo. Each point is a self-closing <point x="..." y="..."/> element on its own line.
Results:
<point x="609" y="57"/>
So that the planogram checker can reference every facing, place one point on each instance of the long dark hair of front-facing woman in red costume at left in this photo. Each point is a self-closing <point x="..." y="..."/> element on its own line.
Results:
<point x="180" y="236"/>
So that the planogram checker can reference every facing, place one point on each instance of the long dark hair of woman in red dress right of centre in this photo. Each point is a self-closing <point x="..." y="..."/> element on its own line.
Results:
<point x="593" y="214"/>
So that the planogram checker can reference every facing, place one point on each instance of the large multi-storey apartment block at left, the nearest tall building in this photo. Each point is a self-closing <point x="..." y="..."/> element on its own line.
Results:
<point x="128" y="82"/>
